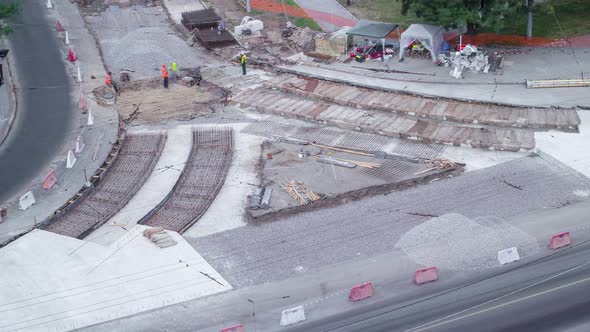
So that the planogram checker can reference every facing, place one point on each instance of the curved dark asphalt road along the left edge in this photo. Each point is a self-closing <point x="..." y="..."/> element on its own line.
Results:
<point x="45" y="112"/>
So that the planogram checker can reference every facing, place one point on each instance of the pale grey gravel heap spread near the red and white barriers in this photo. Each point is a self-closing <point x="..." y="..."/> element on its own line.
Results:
<point x="456" y="242"/>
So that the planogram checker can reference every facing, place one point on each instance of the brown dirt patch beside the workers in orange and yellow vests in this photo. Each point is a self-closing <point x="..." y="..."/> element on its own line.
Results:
<point x="147" y="102"/>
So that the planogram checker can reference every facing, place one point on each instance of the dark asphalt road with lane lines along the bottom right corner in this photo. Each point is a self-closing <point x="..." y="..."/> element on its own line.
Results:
<point x="552" y="294"/>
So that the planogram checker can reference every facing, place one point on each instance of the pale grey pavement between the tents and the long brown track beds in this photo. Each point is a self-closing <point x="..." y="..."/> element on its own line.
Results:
<point x="423" y="78"/>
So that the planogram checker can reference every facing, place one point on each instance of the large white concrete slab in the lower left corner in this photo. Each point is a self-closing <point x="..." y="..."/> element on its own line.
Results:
<point x="53" y="282"/>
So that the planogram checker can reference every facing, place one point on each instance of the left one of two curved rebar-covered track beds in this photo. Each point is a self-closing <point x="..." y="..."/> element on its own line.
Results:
<point x="125" y="176"/>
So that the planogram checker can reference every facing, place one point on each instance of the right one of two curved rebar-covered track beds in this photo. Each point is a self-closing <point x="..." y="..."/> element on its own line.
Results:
<point x="202" y="178"/>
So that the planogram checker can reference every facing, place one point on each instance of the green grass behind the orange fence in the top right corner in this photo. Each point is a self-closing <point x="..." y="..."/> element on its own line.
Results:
<point x="571" y="14"/>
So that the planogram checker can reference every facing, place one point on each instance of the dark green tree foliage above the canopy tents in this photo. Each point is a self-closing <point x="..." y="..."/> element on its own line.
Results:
<point x="472" y="14"/>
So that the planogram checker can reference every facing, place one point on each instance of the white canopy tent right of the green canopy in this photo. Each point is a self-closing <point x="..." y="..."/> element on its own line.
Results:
<point x="430" y="36"/>
